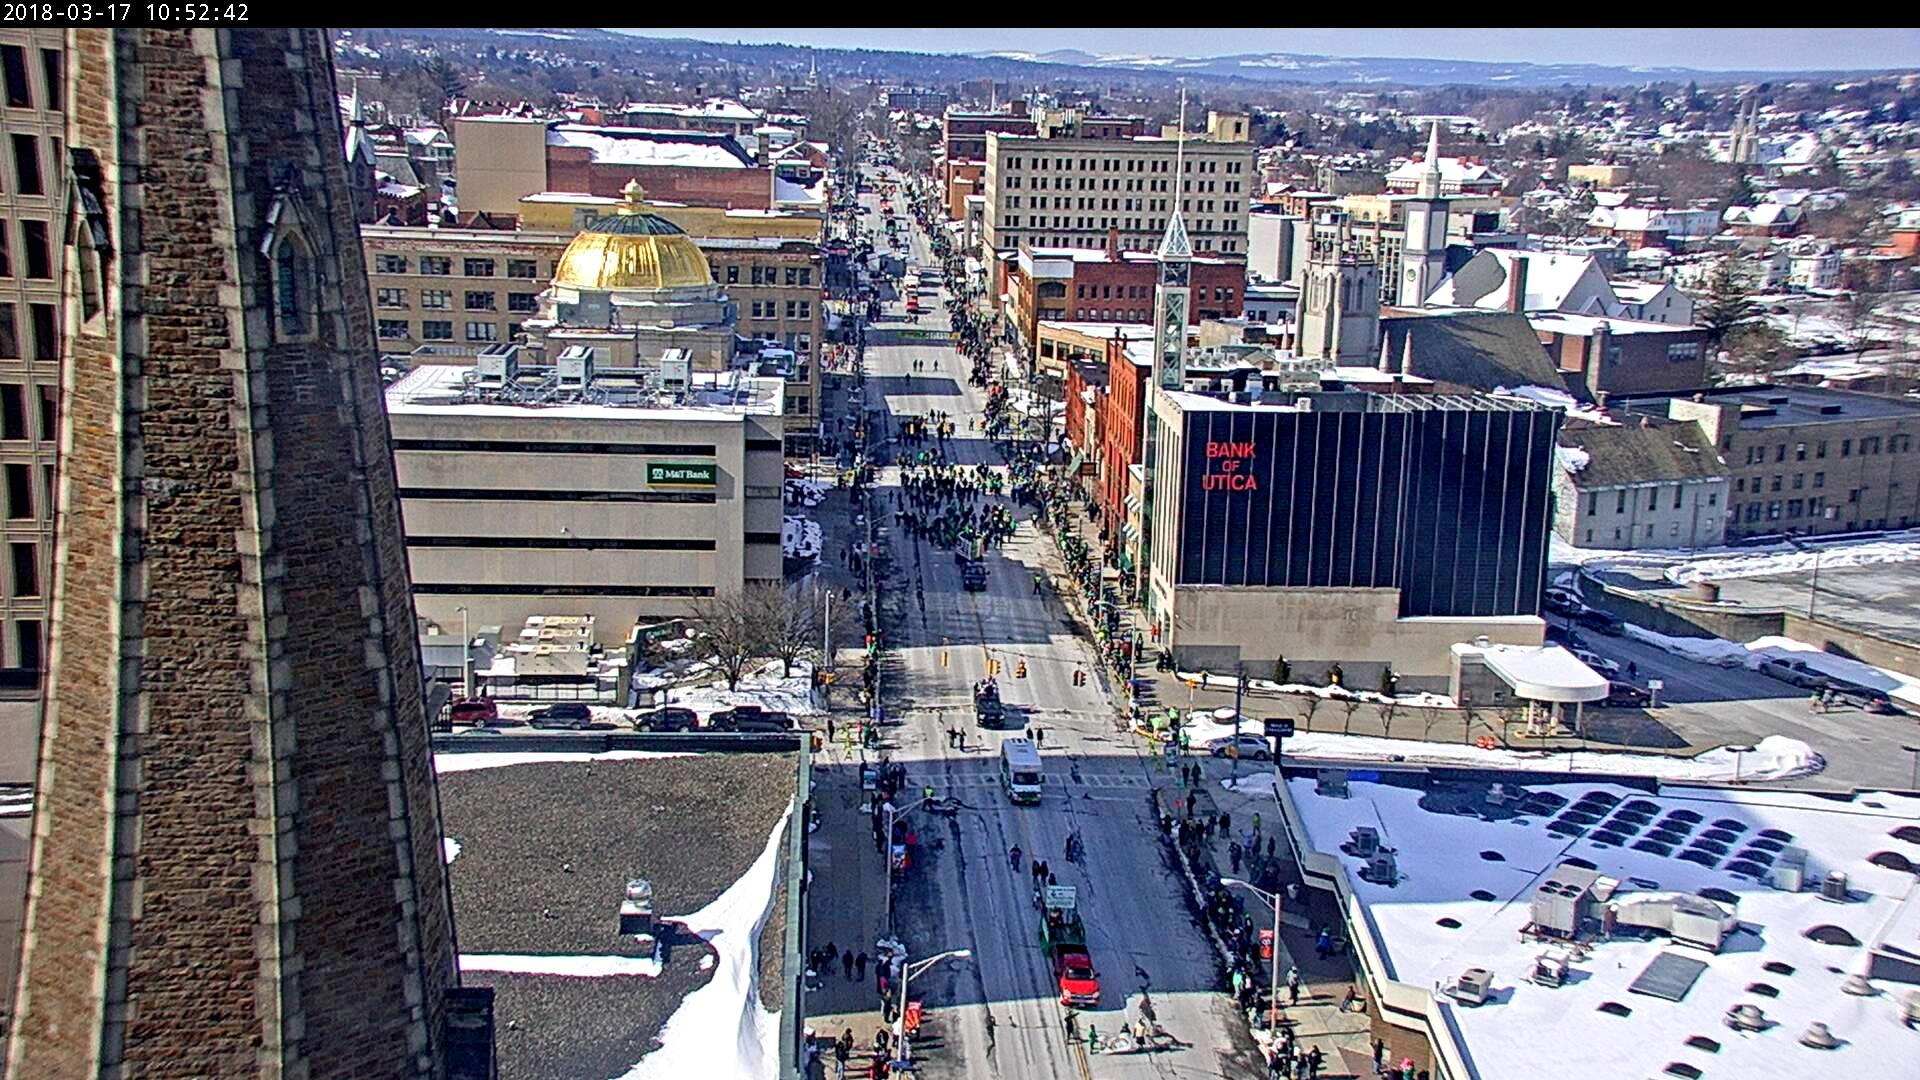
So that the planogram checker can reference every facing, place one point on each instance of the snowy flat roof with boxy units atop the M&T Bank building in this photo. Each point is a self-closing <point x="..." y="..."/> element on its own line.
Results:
<point x="444" y="389"/>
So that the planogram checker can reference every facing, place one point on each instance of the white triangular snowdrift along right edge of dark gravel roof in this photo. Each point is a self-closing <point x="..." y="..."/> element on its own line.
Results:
<point x="723" y="1029"/>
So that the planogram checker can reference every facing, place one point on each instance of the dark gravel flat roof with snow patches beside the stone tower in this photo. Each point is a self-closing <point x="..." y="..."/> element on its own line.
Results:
<point x="542" y="847"/>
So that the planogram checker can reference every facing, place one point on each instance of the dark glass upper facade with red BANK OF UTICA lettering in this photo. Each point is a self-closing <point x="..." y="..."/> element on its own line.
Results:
<point x="1445" y="499"/>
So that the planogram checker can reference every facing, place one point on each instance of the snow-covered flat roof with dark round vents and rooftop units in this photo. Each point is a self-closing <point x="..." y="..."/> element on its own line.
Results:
<point x="1466" y="898"/>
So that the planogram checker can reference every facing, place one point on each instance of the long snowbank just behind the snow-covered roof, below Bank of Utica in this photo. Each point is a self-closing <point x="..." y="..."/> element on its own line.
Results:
<point x="1775" y="758"/>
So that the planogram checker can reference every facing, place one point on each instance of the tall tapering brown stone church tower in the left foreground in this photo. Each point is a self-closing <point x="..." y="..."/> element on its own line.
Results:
<point x="237" y="860"/>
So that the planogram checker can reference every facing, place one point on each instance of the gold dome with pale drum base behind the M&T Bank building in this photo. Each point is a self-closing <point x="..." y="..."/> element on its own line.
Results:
<point x="631" y="287"/>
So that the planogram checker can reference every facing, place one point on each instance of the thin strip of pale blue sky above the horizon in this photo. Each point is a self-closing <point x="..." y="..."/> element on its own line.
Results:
<point x="1706" y="49"/>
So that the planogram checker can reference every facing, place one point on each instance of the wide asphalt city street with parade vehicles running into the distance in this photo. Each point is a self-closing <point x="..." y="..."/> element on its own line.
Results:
<point x="965" y="893"/>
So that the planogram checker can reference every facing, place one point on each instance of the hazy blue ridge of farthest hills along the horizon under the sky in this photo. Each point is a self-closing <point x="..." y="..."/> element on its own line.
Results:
<point x="1391" y="70"/>
